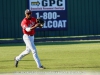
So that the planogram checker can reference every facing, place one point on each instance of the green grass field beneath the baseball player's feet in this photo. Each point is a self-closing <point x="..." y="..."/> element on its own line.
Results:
<point x="55" y="56"/>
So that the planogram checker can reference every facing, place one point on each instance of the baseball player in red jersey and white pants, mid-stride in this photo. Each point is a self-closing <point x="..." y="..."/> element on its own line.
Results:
<point x="28" y="25"/>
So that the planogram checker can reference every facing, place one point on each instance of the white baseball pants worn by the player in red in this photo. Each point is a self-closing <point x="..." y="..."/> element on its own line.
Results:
<point x="30" y="47"/>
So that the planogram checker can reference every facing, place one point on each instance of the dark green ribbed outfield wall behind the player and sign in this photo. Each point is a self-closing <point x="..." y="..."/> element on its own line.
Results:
<point x="83" y="18"/>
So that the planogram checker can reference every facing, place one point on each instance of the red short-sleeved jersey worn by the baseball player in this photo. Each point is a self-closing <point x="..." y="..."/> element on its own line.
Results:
<point x="28" y="23"/>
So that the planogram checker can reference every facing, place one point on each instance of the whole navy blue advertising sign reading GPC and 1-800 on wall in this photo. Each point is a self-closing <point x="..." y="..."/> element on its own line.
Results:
<point x="53" y="12"/>
